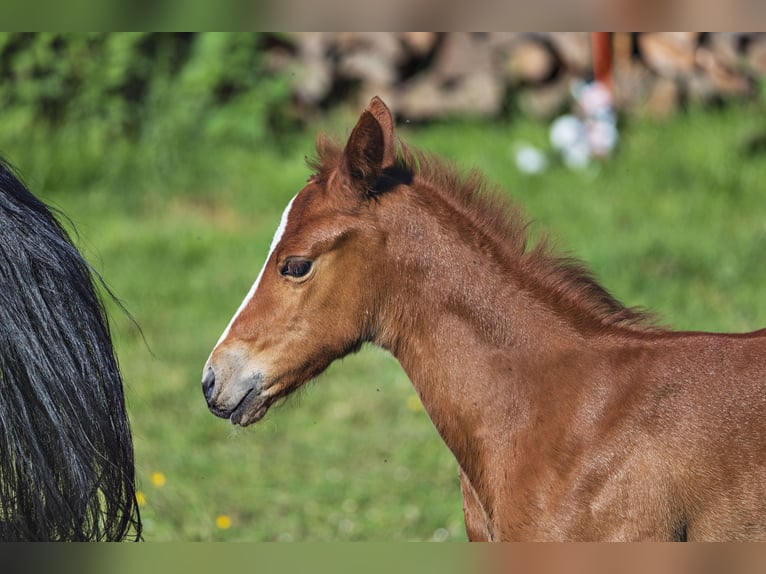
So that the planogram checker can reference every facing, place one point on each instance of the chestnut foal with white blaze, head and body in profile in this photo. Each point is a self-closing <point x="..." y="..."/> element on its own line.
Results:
<point x="571" y="416"/>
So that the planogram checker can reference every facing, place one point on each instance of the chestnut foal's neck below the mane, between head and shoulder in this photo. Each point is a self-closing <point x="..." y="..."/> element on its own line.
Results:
<point x="463" y="327"/>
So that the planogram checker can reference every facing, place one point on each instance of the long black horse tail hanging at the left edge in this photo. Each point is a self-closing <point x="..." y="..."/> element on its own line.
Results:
<point x="66" y="453"/>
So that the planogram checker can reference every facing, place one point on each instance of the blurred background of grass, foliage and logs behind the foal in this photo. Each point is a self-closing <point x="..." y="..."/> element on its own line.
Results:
<point x="174" y="155"/>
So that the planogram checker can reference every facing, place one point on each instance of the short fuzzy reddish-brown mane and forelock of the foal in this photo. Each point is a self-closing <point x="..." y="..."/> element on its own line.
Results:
<point x="561" y="280"/>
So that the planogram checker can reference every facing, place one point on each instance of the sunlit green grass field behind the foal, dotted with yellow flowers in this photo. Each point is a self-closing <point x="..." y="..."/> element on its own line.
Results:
<point x="675" y="222"/>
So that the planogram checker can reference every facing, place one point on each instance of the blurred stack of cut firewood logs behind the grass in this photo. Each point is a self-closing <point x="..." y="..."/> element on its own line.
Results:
<point x="424" y="75"/>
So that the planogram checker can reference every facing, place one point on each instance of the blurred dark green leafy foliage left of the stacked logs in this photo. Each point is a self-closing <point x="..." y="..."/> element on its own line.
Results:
<point x="102" y="95"/>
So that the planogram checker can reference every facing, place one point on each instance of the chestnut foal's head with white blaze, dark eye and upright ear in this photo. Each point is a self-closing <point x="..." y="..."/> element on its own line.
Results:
<point x="316" y="297"/>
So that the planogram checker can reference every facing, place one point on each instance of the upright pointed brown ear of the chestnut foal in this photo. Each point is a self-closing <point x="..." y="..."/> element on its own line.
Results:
<point x="370" y="148"/>
